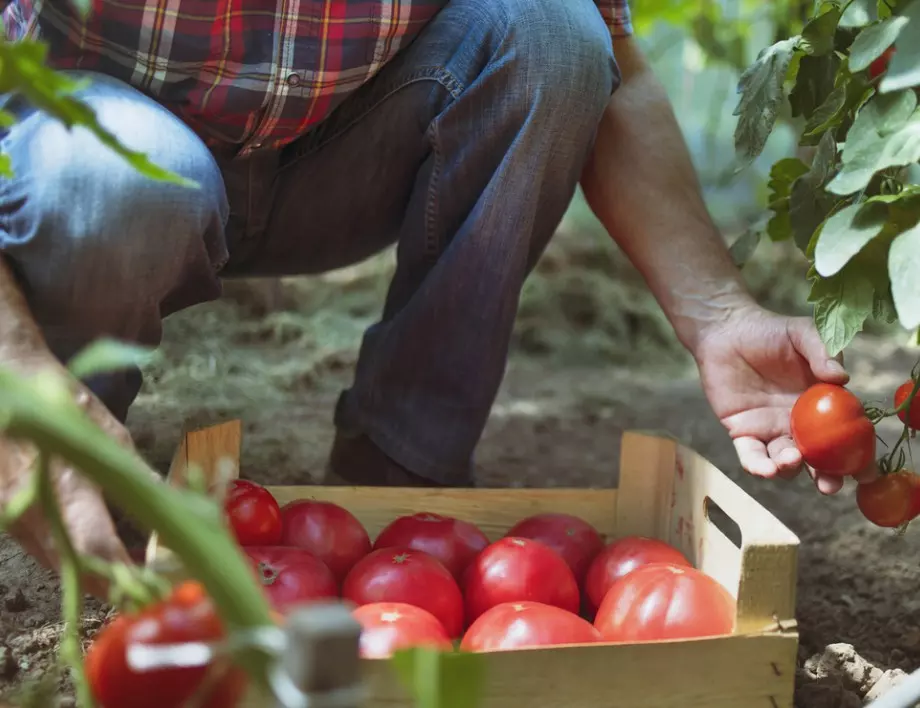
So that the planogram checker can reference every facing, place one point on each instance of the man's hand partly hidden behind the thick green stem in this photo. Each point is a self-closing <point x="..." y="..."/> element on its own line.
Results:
<point x="82" y="507"/>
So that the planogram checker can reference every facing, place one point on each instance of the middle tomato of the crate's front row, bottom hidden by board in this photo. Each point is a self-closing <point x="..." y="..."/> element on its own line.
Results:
<point x="526" y="625"/>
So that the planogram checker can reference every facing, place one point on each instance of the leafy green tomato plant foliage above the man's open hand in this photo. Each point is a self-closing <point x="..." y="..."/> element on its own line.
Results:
<point x="853" y="206"/>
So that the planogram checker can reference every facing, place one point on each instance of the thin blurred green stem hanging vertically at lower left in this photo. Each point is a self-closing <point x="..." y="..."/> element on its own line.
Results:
<point x="71" y="650"/>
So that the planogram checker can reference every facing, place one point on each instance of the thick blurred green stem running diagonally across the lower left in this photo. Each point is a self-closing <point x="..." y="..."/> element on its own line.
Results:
<point x="42" y="411"/>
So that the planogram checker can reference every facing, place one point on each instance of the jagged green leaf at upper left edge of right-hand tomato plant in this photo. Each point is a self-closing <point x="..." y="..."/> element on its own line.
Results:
<point x="761" y="89"/>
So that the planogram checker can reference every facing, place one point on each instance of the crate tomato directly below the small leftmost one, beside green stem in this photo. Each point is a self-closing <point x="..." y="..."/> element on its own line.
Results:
<point x="292" y="576"/>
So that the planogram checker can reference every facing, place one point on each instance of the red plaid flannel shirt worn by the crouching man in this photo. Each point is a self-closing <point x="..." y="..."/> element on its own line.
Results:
<point x="249" y="73"/>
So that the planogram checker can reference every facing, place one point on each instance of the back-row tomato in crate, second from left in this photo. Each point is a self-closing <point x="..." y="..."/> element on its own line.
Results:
<point x="328" y="531"/>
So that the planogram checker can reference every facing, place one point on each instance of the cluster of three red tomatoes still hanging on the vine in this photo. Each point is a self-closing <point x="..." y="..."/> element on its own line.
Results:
<point x="836" y="437"/>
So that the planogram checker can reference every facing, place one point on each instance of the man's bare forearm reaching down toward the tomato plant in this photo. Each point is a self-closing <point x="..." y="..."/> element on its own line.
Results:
<point x="641" y="184"/>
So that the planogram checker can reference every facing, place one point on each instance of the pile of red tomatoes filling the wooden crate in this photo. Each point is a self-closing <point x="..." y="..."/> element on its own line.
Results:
<point x="433" y="580"/>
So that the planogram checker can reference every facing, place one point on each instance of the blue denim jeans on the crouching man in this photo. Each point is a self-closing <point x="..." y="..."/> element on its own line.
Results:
<point x="465" y="150"/>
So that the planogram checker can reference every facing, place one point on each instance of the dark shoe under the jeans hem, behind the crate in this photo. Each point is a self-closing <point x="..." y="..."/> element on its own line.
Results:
<point x="356" y="461"/>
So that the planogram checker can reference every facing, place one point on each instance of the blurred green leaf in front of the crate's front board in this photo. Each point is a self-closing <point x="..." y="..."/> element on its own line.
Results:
<point x="440" y="679"/>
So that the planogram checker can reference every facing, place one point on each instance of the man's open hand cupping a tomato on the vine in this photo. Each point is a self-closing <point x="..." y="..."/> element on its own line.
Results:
<point x="754" y="366"/>
